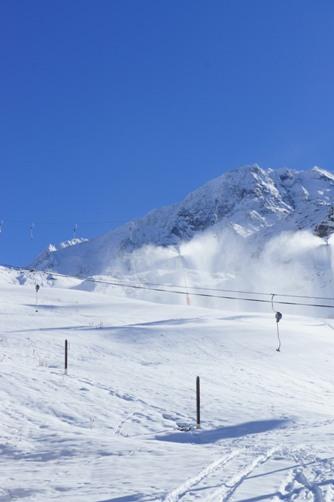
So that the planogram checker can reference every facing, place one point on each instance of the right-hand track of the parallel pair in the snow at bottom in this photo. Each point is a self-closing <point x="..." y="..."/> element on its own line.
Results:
<point x="224" y="492"/>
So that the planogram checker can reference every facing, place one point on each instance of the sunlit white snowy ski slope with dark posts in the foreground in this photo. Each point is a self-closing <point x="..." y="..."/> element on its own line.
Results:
<point x="107" y="431"/>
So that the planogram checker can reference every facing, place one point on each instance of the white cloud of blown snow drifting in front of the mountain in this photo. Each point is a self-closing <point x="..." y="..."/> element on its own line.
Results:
<point x="289" y="263"/>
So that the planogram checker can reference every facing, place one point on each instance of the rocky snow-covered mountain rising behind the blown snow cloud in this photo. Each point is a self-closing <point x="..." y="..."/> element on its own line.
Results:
<point x="249" y="201"/>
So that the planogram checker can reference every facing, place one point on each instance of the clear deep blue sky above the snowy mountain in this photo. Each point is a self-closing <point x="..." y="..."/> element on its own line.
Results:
<point x="111" y="108"/>
